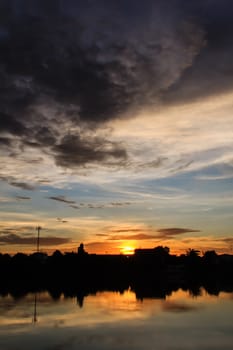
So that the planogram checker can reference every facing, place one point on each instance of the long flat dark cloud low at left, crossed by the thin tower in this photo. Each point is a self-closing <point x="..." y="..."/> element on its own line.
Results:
<point x="15" y="239"/>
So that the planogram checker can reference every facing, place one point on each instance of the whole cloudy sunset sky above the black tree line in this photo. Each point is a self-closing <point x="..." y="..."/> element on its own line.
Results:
<point x="116" y="125"/>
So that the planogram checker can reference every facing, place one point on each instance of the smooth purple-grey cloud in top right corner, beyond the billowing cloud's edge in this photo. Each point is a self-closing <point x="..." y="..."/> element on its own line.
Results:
<point x="213" y="69"/>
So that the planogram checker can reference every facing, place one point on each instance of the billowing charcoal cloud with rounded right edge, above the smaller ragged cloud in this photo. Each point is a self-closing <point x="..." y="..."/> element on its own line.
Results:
<point x="101" y="59"/>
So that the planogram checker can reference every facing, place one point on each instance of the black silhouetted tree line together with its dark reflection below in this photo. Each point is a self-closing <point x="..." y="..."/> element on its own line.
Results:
<point x="149" y="273"/>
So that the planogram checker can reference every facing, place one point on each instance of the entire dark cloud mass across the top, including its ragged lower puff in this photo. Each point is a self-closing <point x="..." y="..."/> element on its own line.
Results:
<point x="68" y="67"/>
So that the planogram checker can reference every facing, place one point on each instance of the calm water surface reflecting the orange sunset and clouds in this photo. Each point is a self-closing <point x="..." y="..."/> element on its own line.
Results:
<point x="111" y="320"/>
